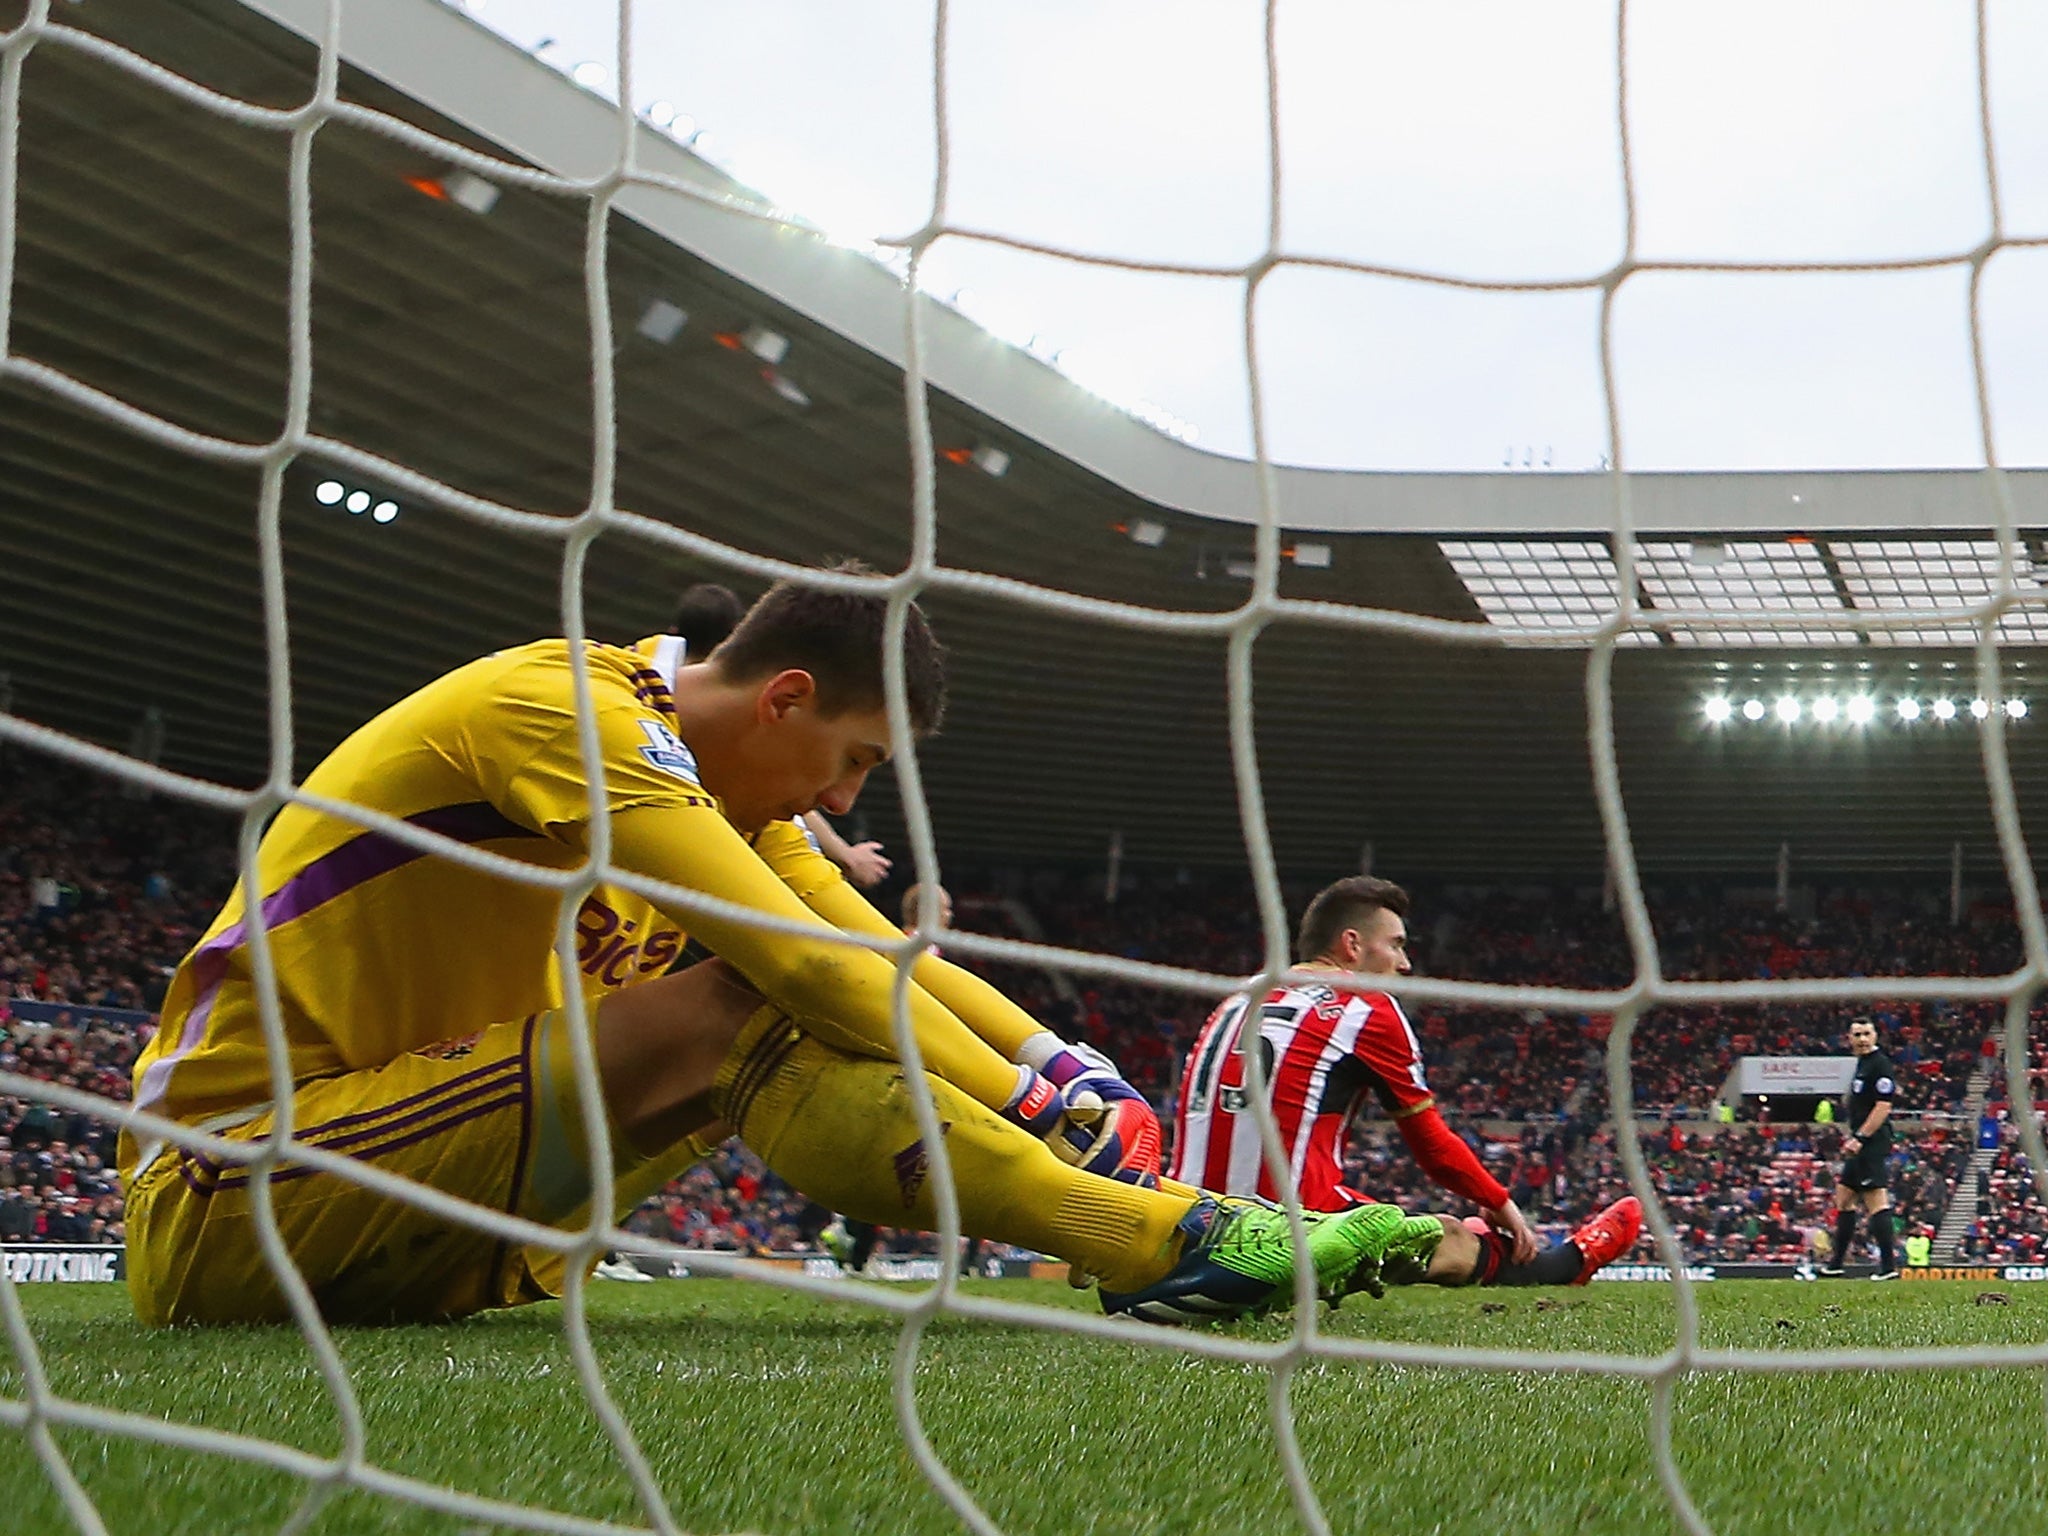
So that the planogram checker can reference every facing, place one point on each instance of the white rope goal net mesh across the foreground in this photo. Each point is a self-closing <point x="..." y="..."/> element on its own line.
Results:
<point x="38" y="1410"/>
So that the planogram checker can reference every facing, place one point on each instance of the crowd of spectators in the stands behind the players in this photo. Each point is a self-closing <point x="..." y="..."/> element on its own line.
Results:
<point x="101" y="894"/>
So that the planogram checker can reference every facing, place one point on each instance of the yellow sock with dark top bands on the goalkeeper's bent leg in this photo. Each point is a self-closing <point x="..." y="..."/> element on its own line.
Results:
<point x="843" y="1129"/>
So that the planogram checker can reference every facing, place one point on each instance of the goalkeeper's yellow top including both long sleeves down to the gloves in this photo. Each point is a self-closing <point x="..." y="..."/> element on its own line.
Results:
<point x="382" y="949"/>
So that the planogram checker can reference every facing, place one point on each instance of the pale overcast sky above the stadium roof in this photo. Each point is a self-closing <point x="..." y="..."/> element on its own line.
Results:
<point x="1471" y="140"/>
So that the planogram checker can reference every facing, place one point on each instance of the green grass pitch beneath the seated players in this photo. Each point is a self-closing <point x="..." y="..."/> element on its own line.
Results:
<point x="771" y="1412"/>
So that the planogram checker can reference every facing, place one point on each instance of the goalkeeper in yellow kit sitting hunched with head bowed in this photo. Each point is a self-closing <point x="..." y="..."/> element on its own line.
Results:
<point x="423" y="1007"/>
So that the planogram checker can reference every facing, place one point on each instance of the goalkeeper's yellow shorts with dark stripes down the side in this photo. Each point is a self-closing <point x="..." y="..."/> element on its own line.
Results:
<point x="490" y="1119"/>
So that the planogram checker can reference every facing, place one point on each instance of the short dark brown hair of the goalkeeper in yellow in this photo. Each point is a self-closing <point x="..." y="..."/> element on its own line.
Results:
<point x="839" y="640"/>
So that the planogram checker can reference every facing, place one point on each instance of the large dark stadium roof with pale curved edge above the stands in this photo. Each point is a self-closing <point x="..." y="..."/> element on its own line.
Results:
<point x="153" y="267"/>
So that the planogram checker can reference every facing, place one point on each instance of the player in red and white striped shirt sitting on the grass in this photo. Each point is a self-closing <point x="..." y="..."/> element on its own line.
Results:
<point x="1324" y="1050"/>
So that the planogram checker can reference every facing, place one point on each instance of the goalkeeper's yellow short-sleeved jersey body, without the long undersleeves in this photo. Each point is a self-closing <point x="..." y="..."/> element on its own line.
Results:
<point x="384" y="949"/>
